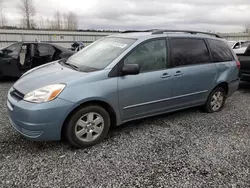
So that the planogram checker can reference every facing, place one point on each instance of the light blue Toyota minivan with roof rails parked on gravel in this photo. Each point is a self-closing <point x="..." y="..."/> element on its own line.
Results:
<point x="120" y="78"/>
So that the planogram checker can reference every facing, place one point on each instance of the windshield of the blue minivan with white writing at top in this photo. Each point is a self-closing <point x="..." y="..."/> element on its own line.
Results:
<point x="100" y="54"/>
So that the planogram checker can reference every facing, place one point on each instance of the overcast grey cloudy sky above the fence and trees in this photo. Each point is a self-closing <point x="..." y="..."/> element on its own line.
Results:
<point x="213" y="15"/>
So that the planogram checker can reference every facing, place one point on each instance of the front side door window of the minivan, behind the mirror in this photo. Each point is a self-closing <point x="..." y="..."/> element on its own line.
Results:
<point x="150" y="56"/>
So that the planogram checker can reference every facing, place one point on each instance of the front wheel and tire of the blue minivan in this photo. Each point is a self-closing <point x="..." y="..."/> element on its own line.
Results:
<point x="87" y="121"/>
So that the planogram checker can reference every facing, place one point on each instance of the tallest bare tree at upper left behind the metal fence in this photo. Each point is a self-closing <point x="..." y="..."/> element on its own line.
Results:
<point x="28" y="12"/>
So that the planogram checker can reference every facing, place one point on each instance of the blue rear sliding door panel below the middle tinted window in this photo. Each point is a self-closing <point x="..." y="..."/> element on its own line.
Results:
<point x="194" y="84"/>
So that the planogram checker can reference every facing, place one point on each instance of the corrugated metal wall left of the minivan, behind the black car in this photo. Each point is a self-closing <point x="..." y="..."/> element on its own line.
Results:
<point x="62" y="38"/>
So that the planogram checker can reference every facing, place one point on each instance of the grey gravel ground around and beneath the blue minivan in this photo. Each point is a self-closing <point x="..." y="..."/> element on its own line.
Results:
<point x="183" y="149"/>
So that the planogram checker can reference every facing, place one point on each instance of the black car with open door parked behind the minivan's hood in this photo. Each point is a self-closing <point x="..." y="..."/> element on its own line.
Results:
<point x="20" y="57"/>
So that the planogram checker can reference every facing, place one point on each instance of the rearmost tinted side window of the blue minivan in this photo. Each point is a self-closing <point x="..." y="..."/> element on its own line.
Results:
<point x="220" y="51"/>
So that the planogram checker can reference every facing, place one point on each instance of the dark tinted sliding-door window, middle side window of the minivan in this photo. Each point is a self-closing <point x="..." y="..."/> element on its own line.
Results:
<point x="189" y="51"/>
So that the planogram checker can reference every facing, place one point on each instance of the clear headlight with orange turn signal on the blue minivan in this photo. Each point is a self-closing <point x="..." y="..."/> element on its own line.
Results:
<point x="44" y="94"/>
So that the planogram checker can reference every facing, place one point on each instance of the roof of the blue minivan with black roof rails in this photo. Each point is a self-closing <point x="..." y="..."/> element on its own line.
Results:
<point x="150" y="35"/>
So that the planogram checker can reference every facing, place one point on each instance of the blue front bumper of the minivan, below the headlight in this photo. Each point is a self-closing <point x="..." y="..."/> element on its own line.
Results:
<point x="41" y="122"/>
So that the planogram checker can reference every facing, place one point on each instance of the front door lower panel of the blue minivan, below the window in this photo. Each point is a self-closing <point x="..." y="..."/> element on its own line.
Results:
<point x="144" y="94"/>
